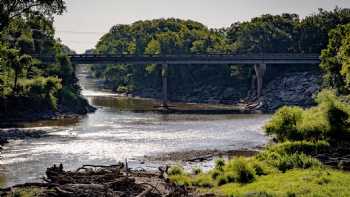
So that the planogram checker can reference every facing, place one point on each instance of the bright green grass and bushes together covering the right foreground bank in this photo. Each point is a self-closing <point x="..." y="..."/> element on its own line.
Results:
<point x="287" y="168"/>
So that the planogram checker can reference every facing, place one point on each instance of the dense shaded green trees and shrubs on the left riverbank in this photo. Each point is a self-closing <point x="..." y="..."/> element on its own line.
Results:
<point x="27" y="84"/>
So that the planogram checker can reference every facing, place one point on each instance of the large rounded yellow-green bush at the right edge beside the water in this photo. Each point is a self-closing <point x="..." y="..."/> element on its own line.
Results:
<point x="327" y="121"/>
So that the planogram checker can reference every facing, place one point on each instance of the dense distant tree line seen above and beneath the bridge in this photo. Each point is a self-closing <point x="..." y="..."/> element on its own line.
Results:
<point x="286" y="33"/>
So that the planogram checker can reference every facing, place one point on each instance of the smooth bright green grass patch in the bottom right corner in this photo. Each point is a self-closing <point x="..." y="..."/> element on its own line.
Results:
<point x="297" y="182"/>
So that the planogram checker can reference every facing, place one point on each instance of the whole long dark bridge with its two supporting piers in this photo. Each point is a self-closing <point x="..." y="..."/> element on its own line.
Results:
<point x="258" y="60"/>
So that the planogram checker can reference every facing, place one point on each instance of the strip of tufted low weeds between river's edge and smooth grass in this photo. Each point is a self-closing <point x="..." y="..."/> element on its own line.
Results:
<point x="246" y="171"/>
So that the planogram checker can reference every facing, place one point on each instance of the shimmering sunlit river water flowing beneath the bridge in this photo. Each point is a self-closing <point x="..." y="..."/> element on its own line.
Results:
<point x="114" y="132"/>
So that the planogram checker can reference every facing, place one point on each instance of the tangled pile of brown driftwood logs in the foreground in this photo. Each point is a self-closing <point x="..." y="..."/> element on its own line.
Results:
<point x="103" y="181"/>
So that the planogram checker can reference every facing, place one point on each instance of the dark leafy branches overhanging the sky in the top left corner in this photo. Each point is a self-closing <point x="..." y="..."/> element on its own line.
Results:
<point x="10" y="9"/>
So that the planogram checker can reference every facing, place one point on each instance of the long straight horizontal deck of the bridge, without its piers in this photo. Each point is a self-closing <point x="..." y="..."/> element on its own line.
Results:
<point x="192" y="59"/>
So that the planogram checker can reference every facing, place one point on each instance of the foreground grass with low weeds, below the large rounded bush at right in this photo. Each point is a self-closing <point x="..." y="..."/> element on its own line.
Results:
<point x="269" y="174"/>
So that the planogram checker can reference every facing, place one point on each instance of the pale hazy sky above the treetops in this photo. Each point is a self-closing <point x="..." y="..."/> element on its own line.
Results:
<point x="87" y="20"/>
